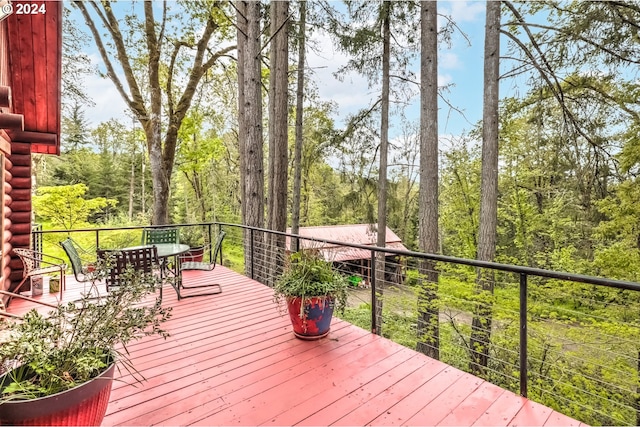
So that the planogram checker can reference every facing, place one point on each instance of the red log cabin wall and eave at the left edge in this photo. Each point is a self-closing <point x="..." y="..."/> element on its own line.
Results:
<point x="30" y="96"/>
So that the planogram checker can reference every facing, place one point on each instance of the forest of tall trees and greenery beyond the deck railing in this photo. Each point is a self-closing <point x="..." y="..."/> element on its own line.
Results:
<point x="228" y="124"/>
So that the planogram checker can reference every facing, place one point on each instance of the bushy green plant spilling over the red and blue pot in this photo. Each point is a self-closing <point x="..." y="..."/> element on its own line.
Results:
<point x="307" y="276"/>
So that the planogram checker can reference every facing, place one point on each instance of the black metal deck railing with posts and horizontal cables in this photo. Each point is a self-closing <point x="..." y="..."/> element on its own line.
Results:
<point x="568" y="341"/>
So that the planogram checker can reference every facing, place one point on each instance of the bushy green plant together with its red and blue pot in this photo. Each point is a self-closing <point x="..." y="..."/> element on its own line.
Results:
<point x="312" y="289"/>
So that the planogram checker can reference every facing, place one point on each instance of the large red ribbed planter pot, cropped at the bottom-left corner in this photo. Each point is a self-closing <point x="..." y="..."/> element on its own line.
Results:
<point x="84" y="405"/>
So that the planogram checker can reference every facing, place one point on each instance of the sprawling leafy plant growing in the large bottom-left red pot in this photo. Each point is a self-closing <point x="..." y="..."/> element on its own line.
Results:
<point x="75" y="342"/>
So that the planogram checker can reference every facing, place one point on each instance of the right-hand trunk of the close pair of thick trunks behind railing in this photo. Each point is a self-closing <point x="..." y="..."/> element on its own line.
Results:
<point x="278" y="132"/>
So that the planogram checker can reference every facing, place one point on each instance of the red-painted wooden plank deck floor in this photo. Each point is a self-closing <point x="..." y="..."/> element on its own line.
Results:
<point x="232" y="359"/>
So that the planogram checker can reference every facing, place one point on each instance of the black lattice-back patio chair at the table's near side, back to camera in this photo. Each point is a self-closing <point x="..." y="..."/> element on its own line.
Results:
<point x="121" y="263"/>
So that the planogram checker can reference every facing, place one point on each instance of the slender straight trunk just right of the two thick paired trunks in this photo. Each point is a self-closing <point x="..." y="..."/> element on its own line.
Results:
<point x="297" y="156"/>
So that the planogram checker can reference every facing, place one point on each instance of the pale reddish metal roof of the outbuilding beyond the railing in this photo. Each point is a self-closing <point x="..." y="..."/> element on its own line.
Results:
<point x="361" y="234"/>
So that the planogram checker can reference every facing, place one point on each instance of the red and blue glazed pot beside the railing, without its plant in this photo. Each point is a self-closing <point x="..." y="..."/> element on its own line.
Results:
<point x="316" y="316"/>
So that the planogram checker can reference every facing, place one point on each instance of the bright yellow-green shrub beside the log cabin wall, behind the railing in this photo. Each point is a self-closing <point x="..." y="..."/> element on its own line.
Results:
<point x="65" y="206"/>
